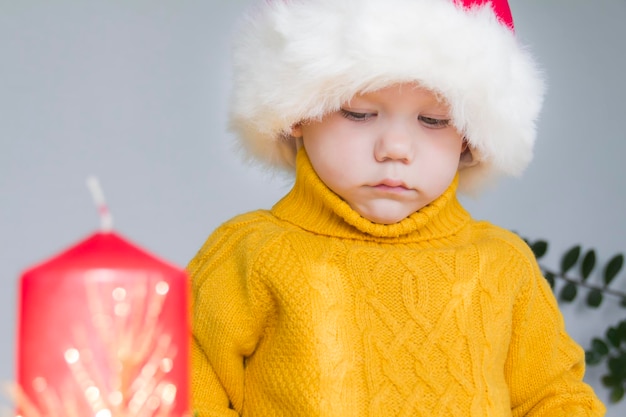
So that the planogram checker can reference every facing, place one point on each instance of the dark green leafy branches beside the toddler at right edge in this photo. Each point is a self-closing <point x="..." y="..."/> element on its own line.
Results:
<point x="611" y="347"/>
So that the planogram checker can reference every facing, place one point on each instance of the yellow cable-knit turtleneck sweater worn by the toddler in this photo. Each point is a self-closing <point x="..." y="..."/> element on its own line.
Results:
<point x="311" y="310"/>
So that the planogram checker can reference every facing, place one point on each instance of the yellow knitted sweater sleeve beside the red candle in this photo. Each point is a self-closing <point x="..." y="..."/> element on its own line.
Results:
<point x="225" y="329"/>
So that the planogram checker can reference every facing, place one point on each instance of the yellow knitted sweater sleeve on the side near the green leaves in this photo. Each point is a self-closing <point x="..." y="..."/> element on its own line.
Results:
<point x="545" y="366"/>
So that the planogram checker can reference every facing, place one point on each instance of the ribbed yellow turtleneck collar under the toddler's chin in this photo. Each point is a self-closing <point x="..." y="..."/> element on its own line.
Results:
<point x="312" y="206"/>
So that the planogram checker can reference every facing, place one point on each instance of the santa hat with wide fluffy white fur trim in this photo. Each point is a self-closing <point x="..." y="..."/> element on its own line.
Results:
<point x="300" y="59"/>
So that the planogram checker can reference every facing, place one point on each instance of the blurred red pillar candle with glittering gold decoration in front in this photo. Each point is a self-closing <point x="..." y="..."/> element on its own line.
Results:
<point x="103" y="331"/>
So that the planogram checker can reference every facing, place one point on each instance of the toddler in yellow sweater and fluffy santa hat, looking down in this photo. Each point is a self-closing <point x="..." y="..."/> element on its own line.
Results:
<point x="368" y="290"/>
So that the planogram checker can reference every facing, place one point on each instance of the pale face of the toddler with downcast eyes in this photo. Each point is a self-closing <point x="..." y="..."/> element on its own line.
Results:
<point x="387" y="153"/>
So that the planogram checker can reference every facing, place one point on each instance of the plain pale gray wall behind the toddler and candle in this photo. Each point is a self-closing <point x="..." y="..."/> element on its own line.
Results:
<point x="135" y="92"/>
